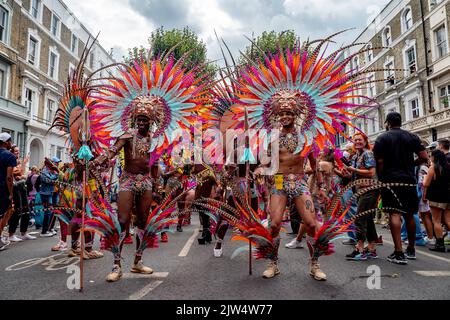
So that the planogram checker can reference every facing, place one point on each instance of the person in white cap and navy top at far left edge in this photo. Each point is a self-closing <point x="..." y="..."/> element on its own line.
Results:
<point x="7" y="164"/>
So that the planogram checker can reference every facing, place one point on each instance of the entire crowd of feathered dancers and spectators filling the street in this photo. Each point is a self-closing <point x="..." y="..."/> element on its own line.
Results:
<point x="296" y="101"/>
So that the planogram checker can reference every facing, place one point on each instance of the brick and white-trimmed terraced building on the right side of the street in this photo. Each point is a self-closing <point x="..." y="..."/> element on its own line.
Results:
<point x="411" y="36"/>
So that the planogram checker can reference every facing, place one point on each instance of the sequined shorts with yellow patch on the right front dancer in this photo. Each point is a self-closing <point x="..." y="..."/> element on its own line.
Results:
<point x="290" y="185"/>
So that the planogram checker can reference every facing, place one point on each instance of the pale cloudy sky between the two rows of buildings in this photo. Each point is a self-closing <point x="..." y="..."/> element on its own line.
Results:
<point x="128" y="23"/>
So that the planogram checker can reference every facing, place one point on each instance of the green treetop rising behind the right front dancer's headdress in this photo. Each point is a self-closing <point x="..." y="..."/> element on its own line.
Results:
<point x="270" y="42"/>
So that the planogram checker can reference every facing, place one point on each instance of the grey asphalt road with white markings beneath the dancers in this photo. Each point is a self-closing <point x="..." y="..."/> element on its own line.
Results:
<point x="29" y="270"/>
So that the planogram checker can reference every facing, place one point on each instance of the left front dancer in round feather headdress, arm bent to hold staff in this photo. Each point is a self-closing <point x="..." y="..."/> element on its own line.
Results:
<point x="142" y="108"/>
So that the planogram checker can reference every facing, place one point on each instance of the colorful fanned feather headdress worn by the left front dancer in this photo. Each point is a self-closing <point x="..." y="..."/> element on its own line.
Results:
<point x="157" y="88"/>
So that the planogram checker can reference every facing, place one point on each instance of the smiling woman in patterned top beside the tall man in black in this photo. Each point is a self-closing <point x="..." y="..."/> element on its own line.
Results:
<point x="364" y="167"/>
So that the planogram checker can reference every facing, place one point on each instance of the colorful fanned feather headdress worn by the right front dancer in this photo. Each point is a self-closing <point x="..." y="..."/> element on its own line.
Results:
<point x="315" y="88"/>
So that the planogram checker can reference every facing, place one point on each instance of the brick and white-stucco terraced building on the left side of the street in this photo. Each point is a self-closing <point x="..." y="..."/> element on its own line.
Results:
<point x="41" y="41"/>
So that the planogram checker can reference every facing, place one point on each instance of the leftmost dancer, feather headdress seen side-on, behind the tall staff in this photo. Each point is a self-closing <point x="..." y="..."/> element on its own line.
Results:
<point x="74" y="118"/>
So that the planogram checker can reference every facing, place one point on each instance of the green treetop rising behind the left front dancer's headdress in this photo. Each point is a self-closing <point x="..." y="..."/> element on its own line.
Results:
<point x="183" y="41"/>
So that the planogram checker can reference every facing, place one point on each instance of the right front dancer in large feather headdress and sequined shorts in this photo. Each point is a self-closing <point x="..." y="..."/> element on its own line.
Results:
<point x="305" y="95"/>
